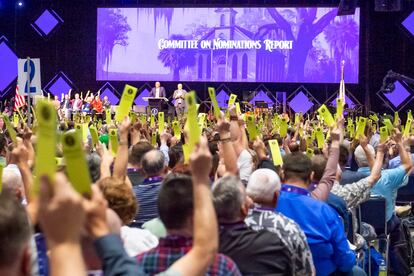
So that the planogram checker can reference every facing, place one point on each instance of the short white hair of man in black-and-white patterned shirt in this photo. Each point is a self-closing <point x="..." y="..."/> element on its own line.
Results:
<point x="262" y="185"/>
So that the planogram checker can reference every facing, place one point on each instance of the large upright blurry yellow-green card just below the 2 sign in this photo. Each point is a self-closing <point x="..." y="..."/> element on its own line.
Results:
<point x="46" y="142"/>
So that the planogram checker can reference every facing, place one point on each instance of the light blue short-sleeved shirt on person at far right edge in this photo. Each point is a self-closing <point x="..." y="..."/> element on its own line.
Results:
<point x="387" y="186"/>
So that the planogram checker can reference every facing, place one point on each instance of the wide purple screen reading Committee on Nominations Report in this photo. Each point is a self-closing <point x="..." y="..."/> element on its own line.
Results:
<point x="227" y="44"/>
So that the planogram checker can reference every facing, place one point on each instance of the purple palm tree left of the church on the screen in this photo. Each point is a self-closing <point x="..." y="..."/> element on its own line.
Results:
<point x="177" y="59"/>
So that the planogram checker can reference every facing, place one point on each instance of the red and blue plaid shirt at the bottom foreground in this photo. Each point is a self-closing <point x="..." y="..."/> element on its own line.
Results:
<point x="171" y="248"/>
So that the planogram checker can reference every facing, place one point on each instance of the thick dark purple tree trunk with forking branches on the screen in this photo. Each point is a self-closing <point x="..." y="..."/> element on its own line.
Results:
<point x="308" y="30"/>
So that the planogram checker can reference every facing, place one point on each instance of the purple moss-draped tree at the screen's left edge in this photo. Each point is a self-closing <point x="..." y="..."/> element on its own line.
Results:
<point x="114" y="28"/>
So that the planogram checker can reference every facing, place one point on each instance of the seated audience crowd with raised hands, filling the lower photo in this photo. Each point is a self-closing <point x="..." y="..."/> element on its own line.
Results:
<point x="223" y="208"/>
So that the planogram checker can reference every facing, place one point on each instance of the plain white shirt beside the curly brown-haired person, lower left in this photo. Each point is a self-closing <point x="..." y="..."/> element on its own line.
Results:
<point x="137" y="241"/>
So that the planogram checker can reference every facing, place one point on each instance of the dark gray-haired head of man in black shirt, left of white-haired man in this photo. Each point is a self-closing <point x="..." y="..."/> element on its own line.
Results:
<point x="228" y="198"/>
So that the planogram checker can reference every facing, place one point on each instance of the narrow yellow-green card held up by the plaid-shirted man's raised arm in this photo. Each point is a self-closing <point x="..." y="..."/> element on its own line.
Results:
<point x="193" y="128"/>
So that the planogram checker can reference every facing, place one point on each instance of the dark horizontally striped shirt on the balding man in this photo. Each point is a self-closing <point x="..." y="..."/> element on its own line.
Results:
<point x="146" y="194"/>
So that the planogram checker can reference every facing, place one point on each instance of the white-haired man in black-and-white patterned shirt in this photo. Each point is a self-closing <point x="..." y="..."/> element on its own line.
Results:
<point x="264" y="189"/>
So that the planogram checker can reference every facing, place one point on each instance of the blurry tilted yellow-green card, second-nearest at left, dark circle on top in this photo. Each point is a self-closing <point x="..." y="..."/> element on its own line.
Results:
<point x="76" y="165"/>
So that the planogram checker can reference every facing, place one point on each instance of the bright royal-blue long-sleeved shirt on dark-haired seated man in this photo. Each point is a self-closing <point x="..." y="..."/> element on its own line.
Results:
<point x="323" y="228"/>
